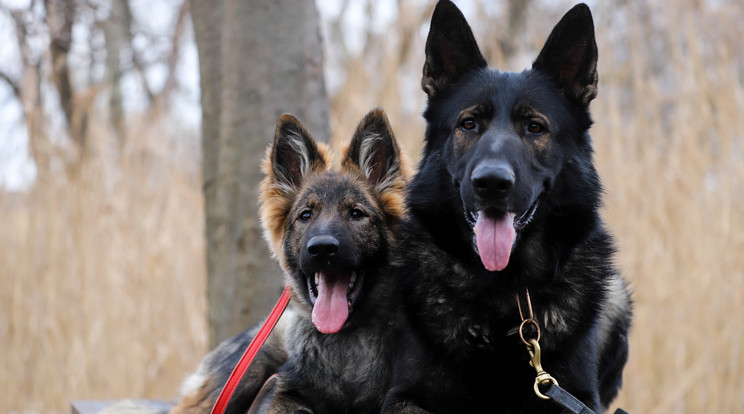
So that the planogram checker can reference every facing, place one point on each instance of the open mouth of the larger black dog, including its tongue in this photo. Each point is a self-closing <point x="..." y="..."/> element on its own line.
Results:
<point x="496" y="232"/>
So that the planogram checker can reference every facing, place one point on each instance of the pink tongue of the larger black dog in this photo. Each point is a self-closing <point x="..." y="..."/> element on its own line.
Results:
<point x="494" y="239"/>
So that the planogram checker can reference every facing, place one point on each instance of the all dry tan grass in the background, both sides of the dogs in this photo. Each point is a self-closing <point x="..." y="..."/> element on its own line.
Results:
<point x="102" y="277"/>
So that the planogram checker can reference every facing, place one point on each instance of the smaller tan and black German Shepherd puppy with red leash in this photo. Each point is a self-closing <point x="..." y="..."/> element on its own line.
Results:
<point x="332" y="230"/>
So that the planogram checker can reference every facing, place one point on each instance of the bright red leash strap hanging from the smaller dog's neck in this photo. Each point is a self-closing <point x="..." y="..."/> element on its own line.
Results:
<point x="250" y="353"/>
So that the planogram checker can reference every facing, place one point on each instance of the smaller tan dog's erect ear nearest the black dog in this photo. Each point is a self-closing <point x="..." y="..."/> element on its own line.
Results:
<point x="375" y="152"/>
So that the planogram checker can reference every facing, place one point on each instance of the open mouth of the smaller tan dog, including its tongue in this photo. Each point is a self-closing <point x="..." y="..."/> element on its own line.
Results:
<point x="333" y="294"/>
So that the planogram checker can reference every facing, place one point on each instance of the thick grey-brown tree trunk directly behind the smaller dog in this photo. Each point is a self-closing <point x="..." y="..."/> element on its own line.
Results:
<point x="257" y="59"/>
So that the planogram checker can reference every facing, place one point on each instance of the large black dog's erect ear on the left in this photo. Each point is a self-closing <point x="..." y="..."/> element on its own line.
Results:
<point x="451" y="50"/>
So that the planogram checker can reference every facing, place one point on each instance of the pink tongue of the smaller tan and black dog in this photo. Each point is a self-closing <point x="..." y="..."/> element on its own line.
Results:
<point x="331" y="309"/>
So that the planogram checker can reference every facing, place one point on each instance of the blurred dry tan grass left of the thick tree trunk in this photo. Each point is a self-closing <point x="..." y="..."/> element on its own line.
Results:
<point x="102" y="280"/>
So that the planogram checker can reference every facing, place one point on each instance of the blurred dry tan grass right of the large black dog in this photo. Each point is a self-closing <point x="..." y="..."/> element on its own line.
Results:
<point x="669" y="146"/>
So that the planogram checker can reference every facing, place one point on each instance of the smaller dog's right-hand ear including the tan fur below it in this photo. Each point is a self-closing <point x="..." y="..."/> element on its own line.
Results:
<point x="374" y="151"/>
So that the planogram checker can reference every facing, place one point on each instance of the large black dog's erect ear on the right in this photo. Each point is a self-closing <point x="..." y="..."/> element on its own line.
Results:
<point x="570" y="55"/>
